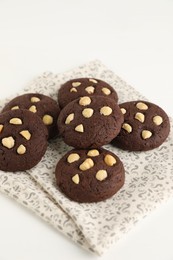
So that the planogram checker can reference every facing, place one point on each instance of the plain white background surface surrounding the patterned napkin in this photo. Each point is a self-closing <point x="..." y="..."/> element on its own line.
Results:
<point x="134" y="39"/>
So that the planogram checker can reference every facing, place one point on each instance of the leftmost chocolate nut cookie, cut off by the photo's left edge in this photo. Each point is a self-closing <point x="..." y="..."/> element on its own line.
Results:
<point x="23" y="140"/>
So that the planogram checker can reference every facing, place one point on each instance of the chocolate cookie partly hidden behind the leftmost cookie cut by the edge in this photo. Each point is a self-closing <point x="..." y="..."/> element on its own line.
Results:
<point x="44" y="106"/>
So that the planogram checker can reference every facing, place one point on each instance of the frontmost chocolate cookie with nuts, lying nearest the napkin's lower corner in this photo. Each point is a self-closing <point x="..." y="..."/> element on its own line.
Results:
<point x="89" y="175"/>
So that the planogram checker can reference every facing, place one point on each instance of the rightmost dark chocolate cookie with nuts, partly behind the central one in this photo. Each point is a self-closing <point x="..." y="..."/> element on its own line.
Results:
<point x="145" y="127"/>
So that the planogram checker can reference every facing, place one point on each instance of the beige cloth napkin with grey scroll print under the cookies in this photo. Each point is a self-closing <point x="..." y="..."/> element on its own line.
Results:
<point x="96" y="226"/>
